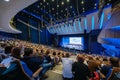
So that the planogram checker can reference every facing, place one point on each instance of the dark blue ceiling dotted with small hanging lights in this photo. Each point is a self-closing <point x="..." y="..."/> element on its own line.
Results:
<point x="56" y="11"/>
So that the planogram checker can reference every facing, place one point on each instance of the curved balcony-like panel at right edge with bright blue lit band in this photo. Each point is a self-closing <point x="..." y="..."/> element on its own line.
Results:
<point x="112" y="26"/>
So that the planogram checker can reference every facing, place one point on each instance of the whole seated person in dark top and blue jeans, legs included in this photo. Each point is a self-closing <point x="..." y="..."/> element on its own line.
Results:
<point x="35" y="62"/>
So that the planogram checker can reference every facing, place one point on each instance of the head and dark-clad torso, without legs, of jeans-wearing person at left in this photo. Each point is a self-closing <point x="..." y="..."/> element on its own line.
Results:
<point x="31" y="59"/>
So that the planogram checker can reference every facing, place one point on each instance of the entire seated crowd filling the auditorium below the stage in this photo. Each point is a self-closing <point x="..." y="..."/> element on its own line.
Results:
<point x="33" y="56"/>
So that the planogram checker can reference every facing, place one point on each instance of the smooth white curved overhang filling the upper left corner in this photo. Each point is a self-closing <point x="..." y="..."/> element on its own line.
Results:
<point x="8" y="10"/>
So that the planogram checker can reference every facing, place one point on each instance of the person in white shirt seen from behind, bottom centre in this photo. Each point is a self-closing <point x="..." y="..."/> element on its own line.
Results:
<point x="67" y="67"/>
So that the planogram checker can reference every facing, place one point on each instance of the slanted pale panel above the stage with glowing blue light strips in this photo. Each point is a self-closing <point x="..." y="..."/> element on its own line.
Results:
<point x="88" y="23"/>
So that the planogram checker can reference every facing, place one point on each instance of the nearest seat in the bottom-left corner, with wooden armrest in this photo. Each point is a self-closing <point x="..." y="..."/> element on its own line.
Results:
<point x="16" y="72"/>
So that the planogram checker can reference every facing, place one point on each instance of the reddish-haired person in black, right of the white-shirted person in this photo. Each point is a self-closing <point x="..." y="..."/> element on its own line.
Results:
<point x="80" y="70"/>
